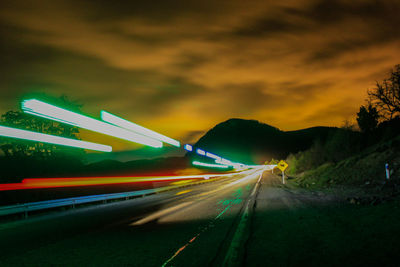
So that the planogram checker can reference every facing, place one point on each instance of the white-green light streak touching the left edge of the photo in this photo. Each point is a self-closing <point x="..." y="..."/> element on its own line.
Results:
<point x="51" y="139"/>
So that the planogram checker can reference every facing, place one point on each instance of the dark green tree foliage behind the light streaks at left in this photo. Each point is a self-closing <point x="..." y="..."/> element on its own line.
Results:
<point x="23" y="158"/>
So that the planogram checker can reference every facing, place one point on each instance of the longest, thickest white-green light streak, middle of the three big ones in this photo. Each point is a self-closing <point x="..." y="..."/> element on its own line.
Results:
<point x="42" y="109"/>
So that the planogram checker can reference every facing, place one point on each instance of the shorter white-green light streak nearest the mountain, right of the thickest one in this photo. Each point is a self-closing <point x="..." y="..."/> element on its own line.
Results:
<point x="110" y="118"/>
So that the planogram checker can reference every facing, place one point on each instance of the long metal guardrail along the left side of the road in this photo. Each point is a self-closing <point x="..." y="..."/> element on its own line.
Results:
<point x="41" y="205"/>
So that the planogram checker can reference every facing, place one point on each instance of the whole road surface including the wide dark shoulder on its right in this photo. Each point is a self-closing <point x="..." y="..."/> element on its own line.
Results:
<point x="250" y="219"/>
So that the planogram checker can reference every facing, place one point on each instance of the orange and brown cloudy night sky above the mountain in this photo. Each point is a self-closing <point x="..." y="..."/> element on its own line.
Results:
<point x="180" y="67"/>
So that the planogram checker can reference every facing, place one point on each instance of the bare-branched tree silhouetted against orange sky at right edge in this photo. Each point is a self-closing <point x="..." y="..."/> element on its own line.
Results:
<point x="386" y="95"/>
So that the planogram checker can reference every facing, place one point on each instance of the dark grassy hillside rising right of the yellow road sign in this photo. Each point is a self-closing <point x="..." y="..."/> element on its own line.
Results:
<point x="364" y="166"/>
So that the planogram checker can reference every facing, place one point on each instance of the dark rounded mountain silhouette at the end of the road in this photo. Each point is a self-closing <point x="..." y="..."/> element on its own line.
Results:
<point x="249" y="141"/>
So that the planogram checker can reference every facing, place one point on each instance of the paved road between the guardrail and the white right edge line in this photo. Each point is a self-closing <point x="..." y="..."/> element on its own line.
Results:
<point x="192" y="226"/>
